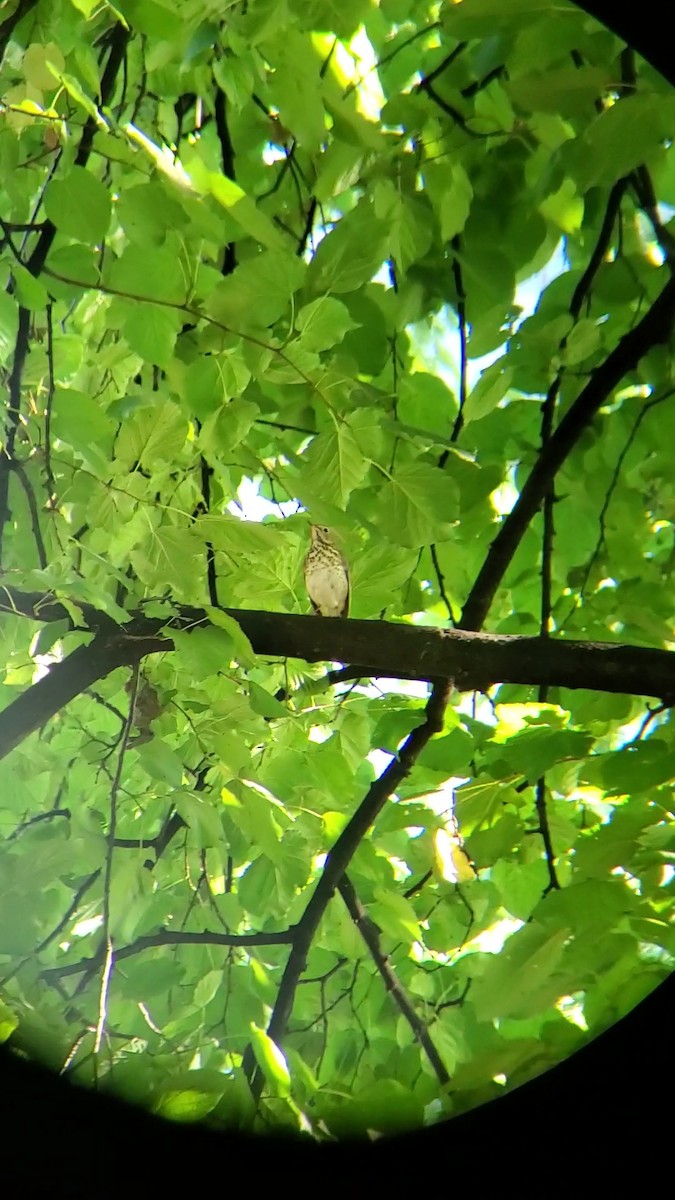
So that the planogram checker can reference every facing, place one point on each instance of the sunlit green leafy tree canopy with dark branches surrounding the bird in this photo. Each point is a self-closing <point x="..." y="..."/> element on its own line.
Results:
<point x="404" y="269"/>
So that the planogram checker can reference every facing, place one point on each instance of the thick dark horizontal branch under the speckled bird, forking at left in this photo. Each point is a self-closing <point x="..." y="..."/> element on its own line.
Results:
<point x="377" y="649"/>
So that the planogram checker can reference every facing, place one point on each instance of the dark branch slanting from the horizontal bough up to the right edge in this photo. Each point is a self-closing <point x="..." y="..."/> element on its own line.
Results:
<point x="655" y="328"/>
